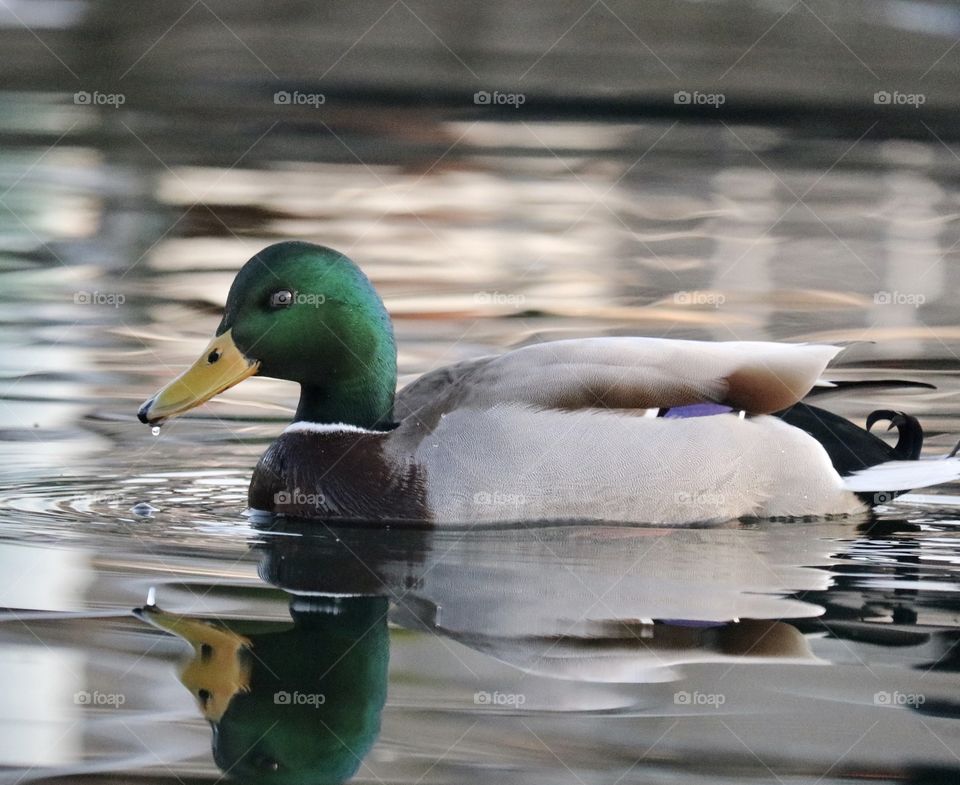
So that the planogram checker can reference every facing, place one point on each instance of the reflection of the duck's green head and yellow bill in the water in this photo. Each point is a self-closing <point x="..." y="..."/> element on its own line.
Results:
<point x="295" y="702"/>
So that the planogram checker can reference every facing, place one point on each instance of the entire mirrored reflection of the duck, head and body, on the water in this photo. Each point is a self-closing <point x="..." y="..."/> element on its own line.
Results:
<point x="301" y="701"/>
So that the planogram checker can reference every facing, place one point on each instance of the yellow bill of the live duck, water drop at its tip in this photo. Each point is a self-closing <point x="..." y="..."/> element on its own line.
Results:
<point x="221" y="366"/>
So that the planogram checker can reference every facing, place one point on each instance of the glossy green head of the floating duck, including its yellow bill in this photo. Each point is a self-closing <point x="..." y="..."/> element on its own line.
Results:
<point x="301" y="312"/>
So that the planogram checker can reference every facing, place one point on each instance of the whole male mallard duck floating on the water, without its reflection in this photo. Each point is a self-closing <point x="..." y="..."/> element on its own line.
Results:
<point x="615" y="428"/>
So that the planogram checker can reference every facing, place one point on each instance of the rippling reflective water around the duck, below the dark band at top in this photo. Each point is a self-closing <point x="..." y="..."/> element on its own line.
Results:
<point x="813" y="652"/>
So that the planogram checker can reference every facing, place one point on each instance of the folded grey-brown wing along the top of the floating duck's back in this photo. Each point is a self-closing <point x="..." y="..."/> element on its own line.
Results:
<point x="624" y="373"/>
